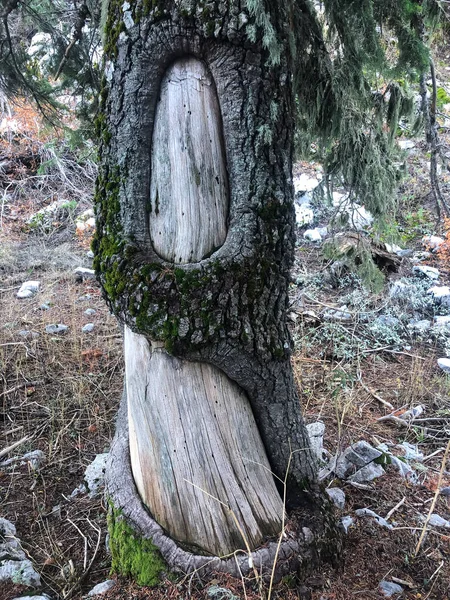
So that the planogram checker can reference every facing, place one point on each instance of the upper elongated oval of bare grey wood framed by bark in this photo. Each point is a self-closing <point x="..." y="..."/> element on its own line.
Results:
<point x="189" y="186"/>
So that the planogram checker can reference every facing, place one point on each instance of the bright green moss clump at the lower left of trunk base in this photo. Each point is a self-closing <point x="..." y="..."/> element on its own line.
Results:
<point x="132" y="555"/>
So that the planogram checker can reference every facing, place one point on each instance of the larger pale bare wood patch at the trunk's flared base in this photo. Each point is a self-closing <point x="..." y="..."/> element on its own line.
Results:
<point x="194" y="443"/>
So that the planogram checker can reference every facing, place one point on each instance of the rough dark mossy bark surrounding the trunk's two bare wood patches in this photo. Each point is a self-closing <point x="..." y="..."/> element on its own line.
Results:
<point x="228" y="308"/>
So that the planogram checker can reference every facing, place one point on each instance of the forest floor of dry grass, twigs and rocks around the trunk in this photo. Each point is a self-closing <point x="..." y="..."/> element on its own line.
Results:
<point x="59" y="393"/>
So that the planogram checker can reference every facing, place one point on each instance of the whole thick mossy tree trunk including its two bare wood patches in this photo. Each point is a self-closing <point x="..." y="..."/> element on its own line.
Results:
<point x="195" y="238"/>
